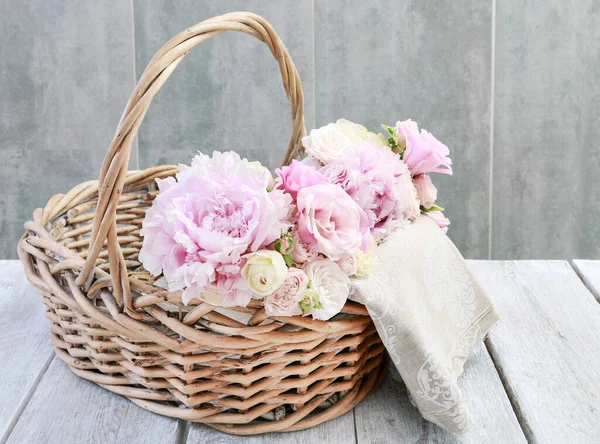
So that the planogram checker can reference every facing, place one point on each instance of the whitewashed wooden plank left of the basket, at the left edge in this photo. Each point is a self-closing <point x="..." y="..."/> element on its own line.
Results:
<point x="25" y="348"/>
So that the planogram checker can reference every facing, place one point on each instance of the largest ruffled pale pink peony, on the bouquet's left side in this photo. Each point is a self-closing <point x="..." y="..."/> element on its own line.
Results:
<point x="201" y="225"/>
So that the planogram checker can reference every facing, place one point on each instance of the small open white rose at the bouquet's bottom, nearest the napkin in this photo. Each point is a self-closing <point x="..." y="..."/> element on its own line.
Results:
<point x="329" y="285"/>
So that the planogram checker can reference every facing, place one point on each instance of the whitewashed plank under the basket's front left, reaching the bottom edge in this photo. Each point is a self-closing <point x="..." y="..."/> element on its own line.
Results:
<point x="67" y="409"/>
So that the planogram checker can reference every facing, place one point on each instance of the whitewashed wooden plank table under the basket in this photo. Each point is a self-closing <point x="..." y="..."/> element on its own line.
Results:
<point x="536" y="379"/>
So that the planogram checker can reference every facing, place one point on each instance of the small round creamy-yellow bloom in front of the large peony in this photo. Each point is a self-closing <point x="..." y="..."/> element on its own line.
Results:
<point x="264" y="272"/>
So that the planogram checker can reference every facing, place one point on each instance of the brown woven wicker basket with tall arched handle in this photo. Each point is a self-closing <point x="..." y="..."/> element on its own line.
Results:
<point x="236" y="370"/>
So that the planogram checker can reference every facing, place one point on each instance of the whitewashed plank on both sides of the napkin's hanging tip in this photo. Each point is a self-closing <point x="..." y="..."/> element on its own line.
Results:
<point x="388" y="416"/>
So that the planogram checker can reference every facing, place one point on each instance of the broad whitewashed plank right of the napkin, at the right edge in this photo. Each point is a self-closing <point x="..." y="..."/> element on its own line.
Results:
<point x="548" y="351"/>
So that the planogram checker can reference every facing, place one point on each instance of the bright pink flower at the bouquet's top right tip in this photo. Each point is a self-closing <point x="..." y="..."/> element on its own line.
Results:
<point x="424" y="153"/>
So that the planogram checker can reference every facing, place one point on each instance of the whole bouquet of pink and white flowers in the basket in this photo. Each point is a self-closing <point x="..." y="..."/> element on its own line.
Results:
<point x="225" y="231"/>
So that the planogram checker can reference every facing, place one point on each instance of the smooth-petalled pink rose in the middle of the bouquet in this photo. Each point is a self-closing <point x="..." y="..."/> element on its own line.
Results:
<point x="331" y="222"/>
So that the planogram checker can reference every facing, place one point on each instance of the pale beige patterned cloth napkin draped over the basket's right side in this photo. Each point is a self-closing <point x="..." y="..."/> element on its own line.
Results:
<point x="430" y="312"/>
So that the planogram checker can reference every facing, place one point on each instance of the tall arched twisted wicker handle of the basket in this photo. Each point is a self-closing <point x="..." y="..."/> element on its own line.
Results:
<point x="162" y="65"/>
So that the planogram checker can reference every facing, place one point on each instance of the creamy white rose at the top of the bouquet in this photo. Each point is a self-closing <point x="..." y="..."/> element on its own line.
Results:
<point x="327" y="143"/>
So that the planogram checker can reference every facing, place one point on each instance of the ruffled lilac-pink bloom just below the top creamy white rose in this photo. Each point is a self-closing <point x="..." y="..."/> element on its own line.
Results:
<point x="377" y="180"/>
